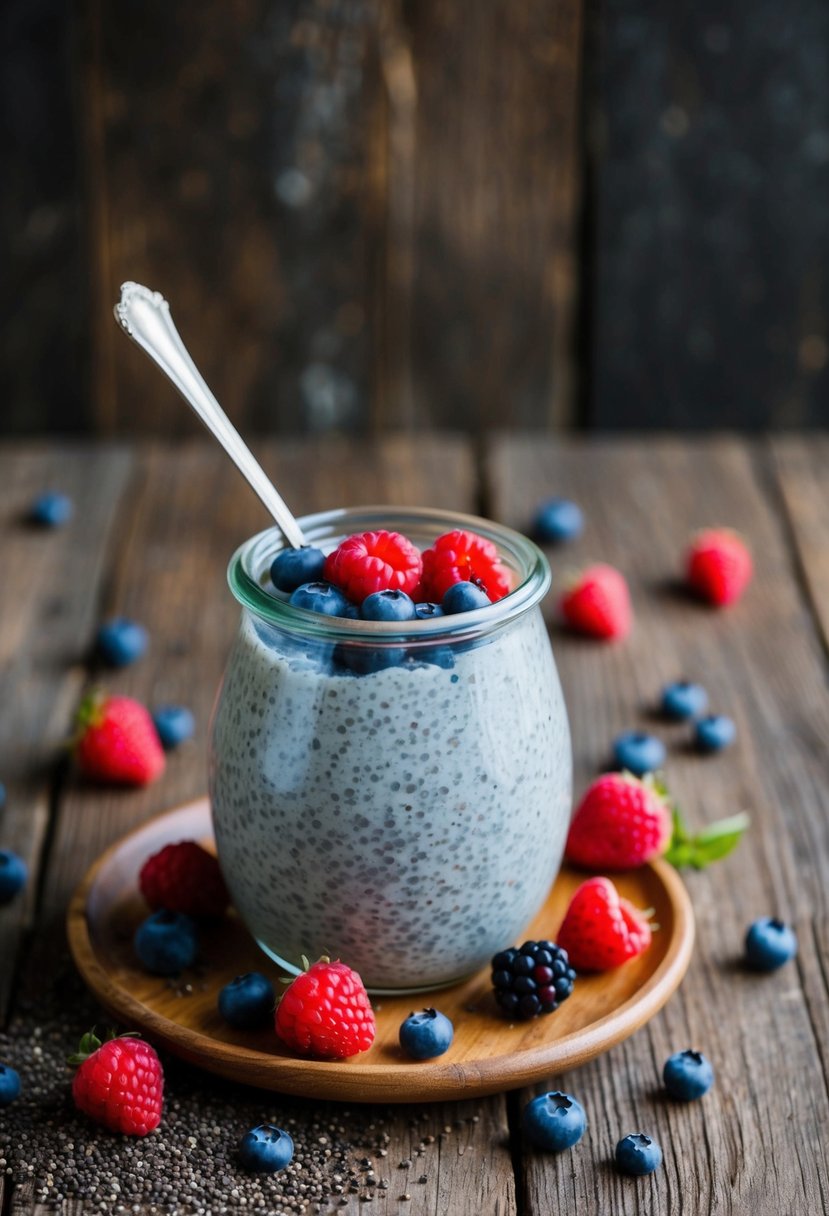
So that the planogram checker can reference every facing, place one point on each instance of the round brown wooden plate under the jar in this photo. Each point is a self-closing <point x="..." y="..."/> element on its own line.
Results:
<point x="488" y="1054"/>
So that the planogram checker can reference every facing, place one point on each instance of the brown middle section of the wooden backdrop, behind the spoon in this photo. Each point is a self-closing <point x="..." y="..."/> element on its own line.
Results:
<point x="363" y="213"/>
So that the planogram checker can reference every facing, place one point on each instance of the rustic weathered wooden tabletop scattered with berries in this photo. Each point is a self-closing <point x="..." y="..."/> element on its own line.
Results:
<point x="151" y="536"/>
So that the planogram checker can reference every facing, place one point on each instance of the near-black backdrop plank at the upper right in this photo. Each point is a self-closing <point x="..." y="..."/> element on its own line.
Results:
<point x="709" y="157"/>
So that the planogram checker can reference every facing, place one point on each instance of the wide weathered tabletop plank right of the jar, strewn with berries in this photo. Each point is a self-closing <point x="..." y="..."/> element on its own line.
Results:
<point x="757" y="1142"/>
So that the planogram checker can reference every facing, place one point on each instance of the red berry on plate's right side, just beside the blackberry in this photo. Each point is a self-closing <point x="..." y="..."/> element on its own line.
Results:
<point x="601" y="930"/>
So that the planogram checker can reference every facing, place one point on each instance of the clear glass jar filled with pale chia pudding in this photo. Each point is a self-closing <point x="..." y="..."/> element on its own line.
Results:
<point x="397" y="796"/>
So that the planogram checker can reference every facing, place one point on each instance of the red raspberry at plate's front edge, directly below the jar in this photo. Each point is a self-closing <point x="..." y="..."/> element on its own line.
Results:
<point x="325" y="1012"/>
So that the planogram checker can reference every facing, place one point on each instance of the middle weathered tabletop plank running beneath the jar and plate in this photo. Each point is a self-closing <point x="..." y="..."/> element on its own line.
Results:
<point x="187" y="513"/>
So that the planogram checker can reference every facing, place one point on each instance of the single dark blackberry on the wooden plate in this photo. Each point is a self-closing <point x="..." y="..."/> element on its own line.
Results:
<point x="532" y="979"/>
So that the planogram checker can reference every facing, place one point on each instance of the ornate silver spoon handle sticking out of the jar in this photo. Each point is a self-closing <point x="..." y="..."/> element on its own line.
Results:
<point x="145" y="317"/>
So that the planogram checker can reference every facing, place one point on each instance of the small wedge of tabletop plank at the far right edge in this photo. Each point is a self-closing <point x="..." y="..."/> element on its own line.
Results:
<point x="802" y="469"/>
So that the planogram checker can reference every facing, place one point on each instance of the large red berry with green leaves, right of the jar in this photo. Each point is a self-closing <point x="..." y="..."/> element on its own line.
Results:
<point x="619" y="824"/>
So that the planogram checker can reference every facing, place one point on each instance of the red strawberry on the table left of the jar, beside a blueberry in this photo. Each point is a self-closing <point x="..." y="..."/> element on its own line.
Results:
<point x="117" y="741"/>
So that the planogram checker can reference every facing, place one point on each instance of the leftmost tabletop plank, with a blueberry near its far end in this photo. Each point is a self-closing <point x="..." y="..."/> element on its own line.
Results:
<point x="50" y="587"/>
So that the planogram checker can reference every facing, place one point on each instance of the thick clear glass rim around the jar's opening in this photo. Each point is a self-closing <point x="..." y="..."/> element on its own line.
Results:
<point x="251" y="565"/>
